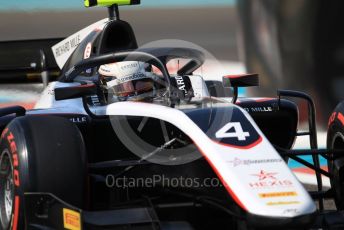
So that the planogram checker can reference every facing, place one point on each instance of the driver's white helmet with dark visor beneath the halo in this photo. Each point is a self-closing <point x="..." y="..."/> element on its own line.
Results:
<point x="128" y="80"/>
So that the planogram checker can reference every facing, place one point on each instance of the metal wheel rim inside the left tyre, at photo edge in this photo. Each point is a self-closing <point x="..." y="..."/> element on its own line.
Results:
<point x="6" y="189"/>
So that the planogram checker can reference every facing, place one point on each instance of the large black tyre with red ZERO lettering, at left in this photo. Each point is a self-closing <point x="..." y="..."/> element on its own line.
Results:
<point x="39" y="154"/>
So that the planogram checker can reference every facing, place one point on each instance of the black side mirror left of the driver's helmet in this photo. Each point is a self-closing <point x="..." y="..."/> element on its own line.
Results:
<point x="75" y="92"/>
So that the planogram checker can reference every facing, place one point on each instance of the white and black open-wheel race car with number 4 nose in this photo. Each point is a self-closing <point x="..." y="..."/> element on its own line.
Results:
<point x="121" y="142"/>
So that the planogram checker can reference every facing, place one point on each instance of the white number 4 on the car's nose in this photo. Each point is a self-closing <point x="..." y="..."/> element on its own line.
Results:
<point x="238" y="132"/>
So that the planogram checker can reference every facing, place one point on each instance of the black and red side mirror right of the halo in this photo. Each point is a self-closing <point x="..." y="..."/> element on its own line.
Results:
<point x="242" y="80"/>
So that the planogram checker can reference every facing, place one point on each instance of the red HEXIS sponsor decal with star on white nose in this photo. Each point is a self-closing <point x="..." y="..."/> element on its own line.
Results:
<point x="268" y="180"/>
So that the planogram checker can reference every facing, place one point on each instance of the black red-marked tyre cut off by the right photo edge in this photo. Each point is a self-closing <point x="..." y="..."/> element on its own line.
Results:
<point x="335" y="140"/>
